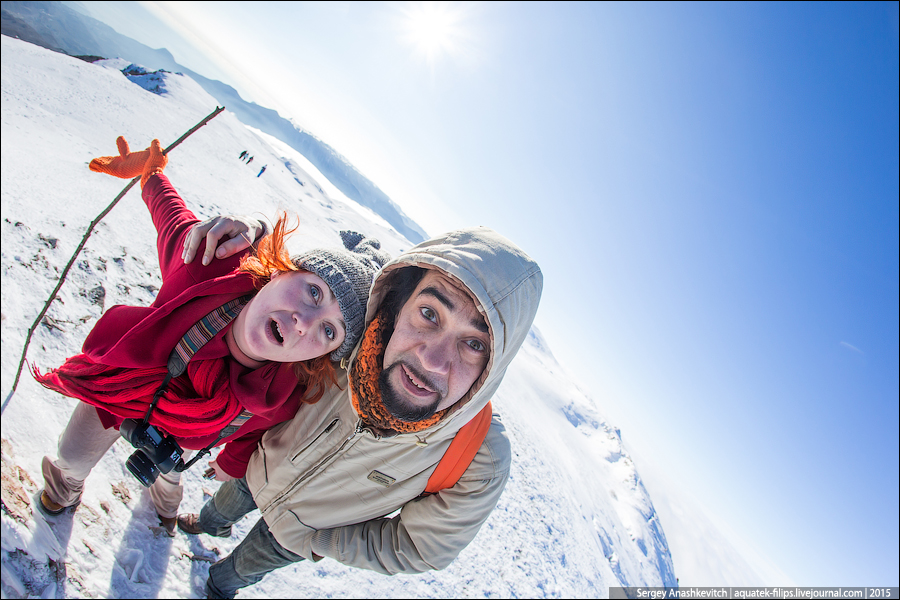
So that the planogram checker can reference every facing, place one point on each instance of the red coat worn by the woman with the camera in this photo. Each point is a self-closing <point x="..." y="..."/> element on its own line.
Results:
<point x="135" y="341"/>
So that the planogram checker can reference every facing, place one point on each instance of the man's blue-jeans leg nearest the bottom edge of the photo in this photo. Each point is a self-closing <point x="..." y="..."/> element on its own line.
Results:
<point x="257" y="555"/>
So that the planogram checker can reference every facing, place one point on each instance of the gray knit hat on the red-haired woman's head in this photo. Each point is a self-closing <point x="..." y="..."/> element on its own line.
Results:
<point x="349" y="273"/>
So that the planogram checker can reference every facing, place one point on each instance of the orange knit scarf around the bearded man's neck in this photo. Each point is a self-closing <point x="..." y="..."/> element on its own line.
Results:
<point x="364" y="385"/>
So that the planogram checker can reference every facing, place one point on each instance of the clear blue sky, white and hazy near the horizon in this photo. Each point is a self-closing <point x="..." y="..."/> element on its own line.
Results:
<point x="710" y="189"/>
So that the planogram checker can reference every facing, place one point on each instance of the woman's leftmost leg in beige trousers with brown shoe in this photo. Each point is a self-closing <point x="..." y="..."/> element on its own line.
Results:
<point x="82" y="444"/>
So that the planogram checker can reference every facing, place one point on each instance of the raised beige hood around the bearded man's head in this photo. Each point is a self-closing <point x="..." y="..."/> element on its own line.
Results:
<point x="506" y="285"/>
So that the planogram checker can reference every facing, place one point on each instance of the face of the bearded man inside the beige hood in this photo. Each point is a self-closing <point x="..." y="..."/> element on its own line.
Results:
<point x="439" y="347"/>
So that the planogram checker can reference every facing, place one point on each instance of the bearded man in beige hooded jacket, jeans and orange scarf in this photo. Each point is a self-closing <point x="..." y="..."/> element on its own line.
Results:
<point x="445" y="321"/>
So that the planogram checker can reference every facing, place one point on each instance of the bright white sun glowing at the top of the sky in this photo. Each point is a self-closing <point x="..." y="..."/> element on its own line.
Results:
<point x="434" y="28"/>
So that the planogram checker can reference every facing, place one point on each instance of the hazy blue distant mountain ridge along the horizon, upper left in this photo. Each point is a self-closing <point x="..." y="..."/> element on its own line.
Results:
<point x="56" y="26"/>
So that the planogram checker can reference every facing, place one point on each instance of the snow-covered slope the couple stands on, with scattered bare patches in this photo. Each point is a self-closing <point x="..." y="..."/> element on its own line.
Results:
<point x="575" y="517"/>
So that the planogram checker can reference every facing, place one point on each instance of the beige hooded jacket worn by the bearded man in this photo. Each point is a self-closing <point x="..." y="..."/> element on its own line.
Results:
<point x="324" y="483"/>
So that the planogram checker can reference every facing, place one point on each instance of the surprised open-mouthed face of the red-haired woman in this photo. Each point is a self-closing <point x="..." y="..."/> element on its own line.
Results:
<point x="294" y="317"/>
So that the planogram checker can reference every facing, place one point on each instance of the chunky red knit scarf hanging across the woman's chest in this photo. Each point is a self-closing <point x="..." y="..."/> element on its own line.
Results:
<point x="196" y="404"/>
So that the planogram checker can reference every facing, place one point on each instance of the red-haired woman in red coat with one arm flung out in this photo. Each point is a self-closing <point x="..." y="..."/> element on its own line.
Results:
<point x="272" y="328"/>
